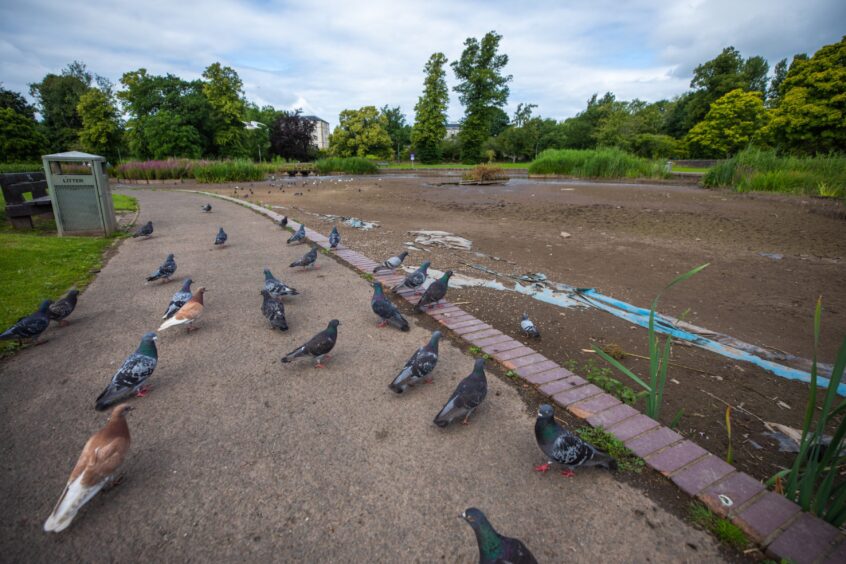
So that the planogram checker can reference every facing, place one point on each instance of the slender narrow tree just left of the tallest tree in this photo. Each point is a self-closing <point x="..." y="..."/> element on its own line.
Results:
<point x="430" y="111"/>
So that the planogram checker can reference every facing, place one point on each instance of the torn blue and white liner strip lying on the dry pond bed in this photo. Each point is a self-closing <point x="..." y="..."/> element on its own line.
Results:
<point x="780" y="363"/>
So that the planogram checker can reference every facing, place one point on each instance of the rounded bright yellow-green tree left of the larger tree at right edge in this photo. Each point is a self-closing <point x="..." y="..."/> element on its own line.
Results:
<point x="729" y="126"/>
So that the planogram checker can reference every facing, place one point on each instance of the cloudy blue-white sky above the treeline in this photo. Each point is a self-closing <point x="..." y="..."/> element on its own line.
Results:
<point x="327" y="55"/>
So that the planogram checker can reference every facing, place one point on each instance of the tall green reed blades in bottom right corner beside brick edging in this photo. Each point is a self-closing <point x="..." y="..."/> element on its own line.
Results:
<point x="814" y="481"/>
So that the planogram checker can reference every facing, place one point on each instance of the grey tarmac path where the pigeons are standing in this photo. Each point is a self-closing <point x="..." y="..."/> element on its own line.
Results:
<point x="235" y="457"/>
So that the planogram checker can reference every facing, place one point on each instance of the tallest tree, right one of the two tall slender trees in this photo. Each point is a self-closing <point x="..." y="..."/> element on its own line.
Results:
<point x="482" y="89"/>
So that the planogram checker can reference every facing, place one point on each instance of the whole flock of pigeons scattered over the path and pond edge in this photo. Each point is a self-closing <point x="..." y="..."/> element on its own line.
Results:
<point x="105" y="451"/>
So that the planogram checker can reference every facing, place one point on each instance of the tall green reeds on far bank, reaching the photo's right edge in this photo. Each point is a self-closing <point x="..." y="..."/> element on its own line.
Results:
<point x="757" y="170"/>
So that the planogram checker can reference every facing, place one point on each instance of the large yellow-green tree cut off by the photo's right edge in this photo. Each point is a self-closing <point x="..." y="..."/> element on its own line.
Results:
<point x="811" y="115"/>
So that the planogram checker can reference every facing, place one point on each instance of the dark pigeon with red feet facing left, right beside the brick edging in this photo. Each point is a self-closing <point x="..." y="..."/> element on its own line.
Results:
<point x="565" y="448"/>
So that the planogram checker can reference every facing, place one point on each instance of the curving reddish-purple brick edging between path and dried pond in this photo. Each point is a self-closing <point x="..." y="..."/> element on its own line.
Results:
<point x="777" y="524"/>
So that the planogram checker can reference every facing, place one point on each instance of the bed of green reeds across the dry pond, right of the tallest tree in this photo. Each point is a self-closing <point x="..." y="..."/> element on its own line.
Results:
<point x="598" y="163"/>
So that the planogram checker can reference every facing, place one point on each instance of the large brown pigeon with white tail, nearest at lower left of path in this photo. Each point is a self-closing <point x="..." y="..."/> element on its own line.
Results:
<point x="101" y="456"/>
